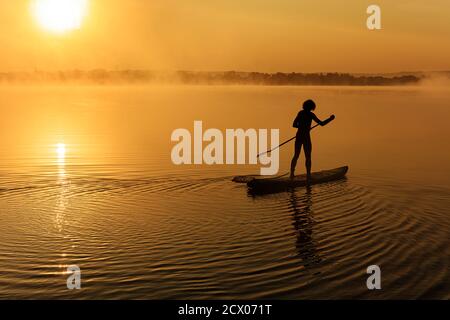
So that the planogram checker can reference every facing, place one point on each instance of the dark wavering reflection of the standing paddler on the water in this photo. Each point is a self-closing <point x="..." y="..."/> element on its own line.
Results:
<point x="303" y="223"/>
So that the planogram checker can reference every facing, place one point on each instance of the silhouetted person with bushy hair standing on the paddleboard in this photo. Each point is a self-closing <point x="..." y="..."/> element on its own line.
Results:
<point x="303" y="138"/>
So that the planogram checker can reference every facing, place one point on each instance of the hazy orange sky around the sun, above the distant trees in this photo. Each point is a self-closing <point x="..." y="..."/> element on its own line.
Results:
<point x="257" y="35"/>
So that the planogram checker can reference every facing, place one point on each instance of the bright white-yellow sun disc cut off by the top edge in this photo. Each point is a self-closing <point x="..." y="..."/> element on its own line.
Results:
<point x="59" y="16"/>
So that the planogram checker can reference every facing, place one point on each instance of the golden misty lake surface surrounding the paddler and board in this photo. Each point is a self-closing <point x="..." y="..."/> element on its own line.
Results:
<point x="140" y="227"/>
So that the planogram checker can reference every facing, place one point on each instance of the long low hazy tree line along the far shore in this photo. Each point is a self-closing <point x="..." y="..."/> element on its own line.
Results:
<point x="101" y="76"/>
